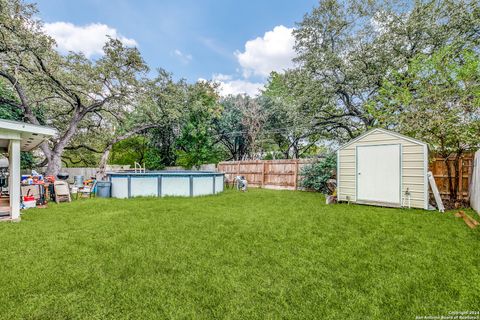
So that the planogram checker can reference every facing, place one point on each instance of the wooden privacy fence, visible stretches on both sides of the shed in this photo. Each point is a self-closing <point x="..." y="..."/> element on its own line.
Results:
<point x="286" y="174"/>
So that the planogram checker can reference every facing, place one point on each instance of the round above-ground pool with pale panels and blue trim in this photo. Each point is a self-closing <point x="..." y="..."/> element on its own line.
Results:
<point x="165" y="183"/>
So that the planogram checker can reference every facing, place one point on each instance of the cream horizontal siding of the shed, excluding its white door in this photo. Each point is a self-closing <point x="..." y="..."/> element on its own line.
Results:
<point x="413" y="157"/>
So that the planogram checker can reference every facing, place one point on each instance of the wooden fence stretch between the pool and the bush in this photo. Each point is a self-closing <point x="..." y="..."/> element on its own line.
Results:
<point x="272" y="174"/>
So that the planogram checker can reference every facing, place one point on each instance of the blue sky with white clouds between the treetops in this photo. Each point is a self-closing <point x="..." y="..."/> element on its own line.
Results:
<point x="193" y="39"/>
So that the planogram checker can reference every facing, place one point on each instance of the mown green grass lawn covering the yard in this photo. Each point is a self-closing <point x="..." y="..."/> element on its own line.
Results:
<point x="257" y="255"/>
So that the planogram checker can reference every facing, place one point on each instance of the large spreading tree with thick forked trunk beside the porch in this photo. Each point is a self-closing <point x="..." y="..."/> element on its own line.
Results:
<point x="69" y="89"/>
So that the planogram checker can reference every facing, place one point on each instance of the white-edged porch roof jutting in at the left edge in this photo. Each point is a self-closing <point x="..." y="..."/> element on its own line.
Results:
<point x="31" y="135"/>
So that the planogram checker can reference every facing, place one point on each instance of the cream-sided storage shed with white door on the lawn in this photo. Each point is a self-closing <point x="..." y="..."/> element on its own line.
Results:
<point x="383" y="168"/>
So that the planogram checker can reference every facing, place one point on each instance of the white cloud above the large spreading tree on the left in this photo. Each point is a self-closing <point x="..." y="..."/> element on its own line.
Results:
<point x="88" y="39"/>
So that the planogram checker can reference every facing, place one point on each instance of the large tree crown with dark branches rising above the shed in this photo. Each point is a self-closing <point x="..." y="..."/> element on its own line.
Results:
<point x="346" y="48"/>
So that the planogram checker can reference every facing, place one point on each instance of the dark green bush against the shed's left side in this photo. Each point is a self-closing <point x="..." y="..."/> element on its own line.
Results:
<point x="316" y="175"/>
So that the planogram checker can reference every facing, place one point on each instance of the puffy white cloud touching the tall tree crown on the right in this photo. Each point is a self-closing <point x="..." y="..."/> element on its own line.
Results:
<point x="272" y="52"/>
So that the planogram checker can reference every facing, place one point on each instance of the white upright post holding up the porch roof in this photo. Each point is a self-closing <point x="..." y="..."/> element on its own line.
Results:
<point x="14" y="178"/>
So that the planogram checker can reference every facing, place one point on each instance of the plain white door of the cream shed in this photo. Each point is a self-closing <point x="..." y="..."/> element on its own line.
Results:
<point x="378" y="173"/>
